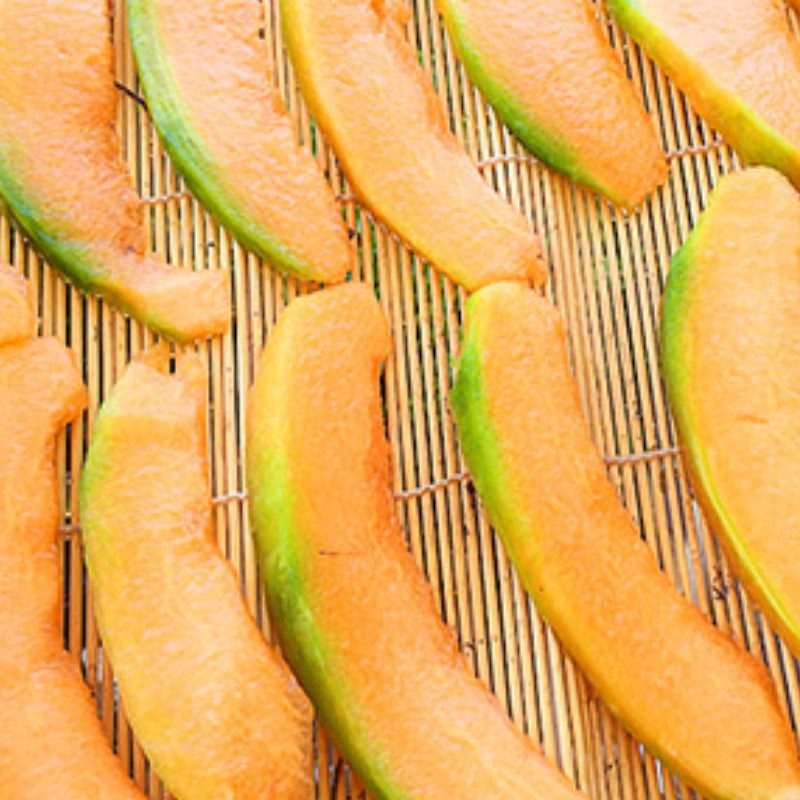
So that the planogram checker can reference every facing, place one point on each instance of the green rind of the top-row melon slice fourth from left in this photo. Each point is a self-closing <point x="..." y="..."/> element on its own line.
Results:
<point x="547" y="145"/>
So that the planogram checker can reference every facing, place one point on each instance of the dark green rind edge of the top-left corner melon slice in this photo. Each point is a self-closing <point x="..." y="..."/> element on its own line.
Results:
<point x="73" y="260"/>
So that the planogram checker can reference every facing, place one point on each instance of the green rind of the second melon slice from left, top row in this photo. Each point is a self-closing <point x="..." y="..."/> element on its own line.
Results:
<point x="191" y="156"/>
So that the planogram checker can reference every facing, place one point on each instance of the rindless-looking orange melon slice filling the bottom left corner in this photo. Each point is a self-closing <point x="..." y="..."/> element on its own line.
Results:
<point x="51" y="743"/>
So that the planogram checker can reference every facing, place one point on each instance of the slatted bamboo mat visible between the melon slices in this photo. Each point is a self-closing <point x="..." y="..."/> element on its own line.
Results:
<point x="607" y="271"/>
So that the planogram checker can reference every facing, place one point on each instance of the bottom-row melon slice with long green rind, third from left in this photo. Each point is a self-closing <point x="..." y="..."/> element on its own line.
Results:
<point x="355" y="617"/>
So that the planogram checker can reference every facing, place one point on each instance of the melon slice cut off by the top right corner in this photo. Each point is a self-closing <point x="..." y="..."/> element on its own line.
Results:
<point x="738" y="64"/>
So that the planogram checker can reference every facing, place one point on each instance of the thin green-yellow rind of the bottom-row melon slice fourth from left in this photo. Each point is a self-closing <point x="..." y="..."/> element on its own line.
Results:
<point x="483" y="452"/>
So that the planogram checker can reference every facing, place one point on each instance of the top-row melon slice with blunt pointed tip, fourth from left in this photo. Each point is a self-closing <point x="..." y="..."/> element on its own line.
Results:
<point x="555" y="81"/>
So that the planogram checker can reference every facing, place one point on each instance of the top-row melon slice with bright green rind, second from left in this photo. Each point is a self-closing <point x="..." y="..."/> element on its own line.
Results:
<point x="206" y="77"/>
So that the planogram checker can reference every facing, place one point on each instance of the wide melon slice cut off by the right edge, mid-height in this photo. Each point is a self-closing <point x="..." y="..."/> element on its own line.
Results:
<point x="731" y="360"/>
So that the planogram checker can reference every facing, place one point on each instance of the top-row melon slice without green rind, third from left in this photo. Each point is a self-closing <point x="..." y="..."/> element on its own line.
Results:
<point x="376" y="107"/>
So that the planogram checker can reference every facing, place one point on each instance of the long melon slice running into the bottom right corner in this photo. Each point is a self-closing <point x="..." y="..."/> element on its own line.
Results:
<point x="695" y="699"/>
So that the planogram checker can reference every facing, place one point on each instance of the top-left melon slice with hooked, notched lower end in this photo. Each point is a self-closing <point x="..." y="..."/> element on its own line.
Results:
<point x="62" y="178"/>
